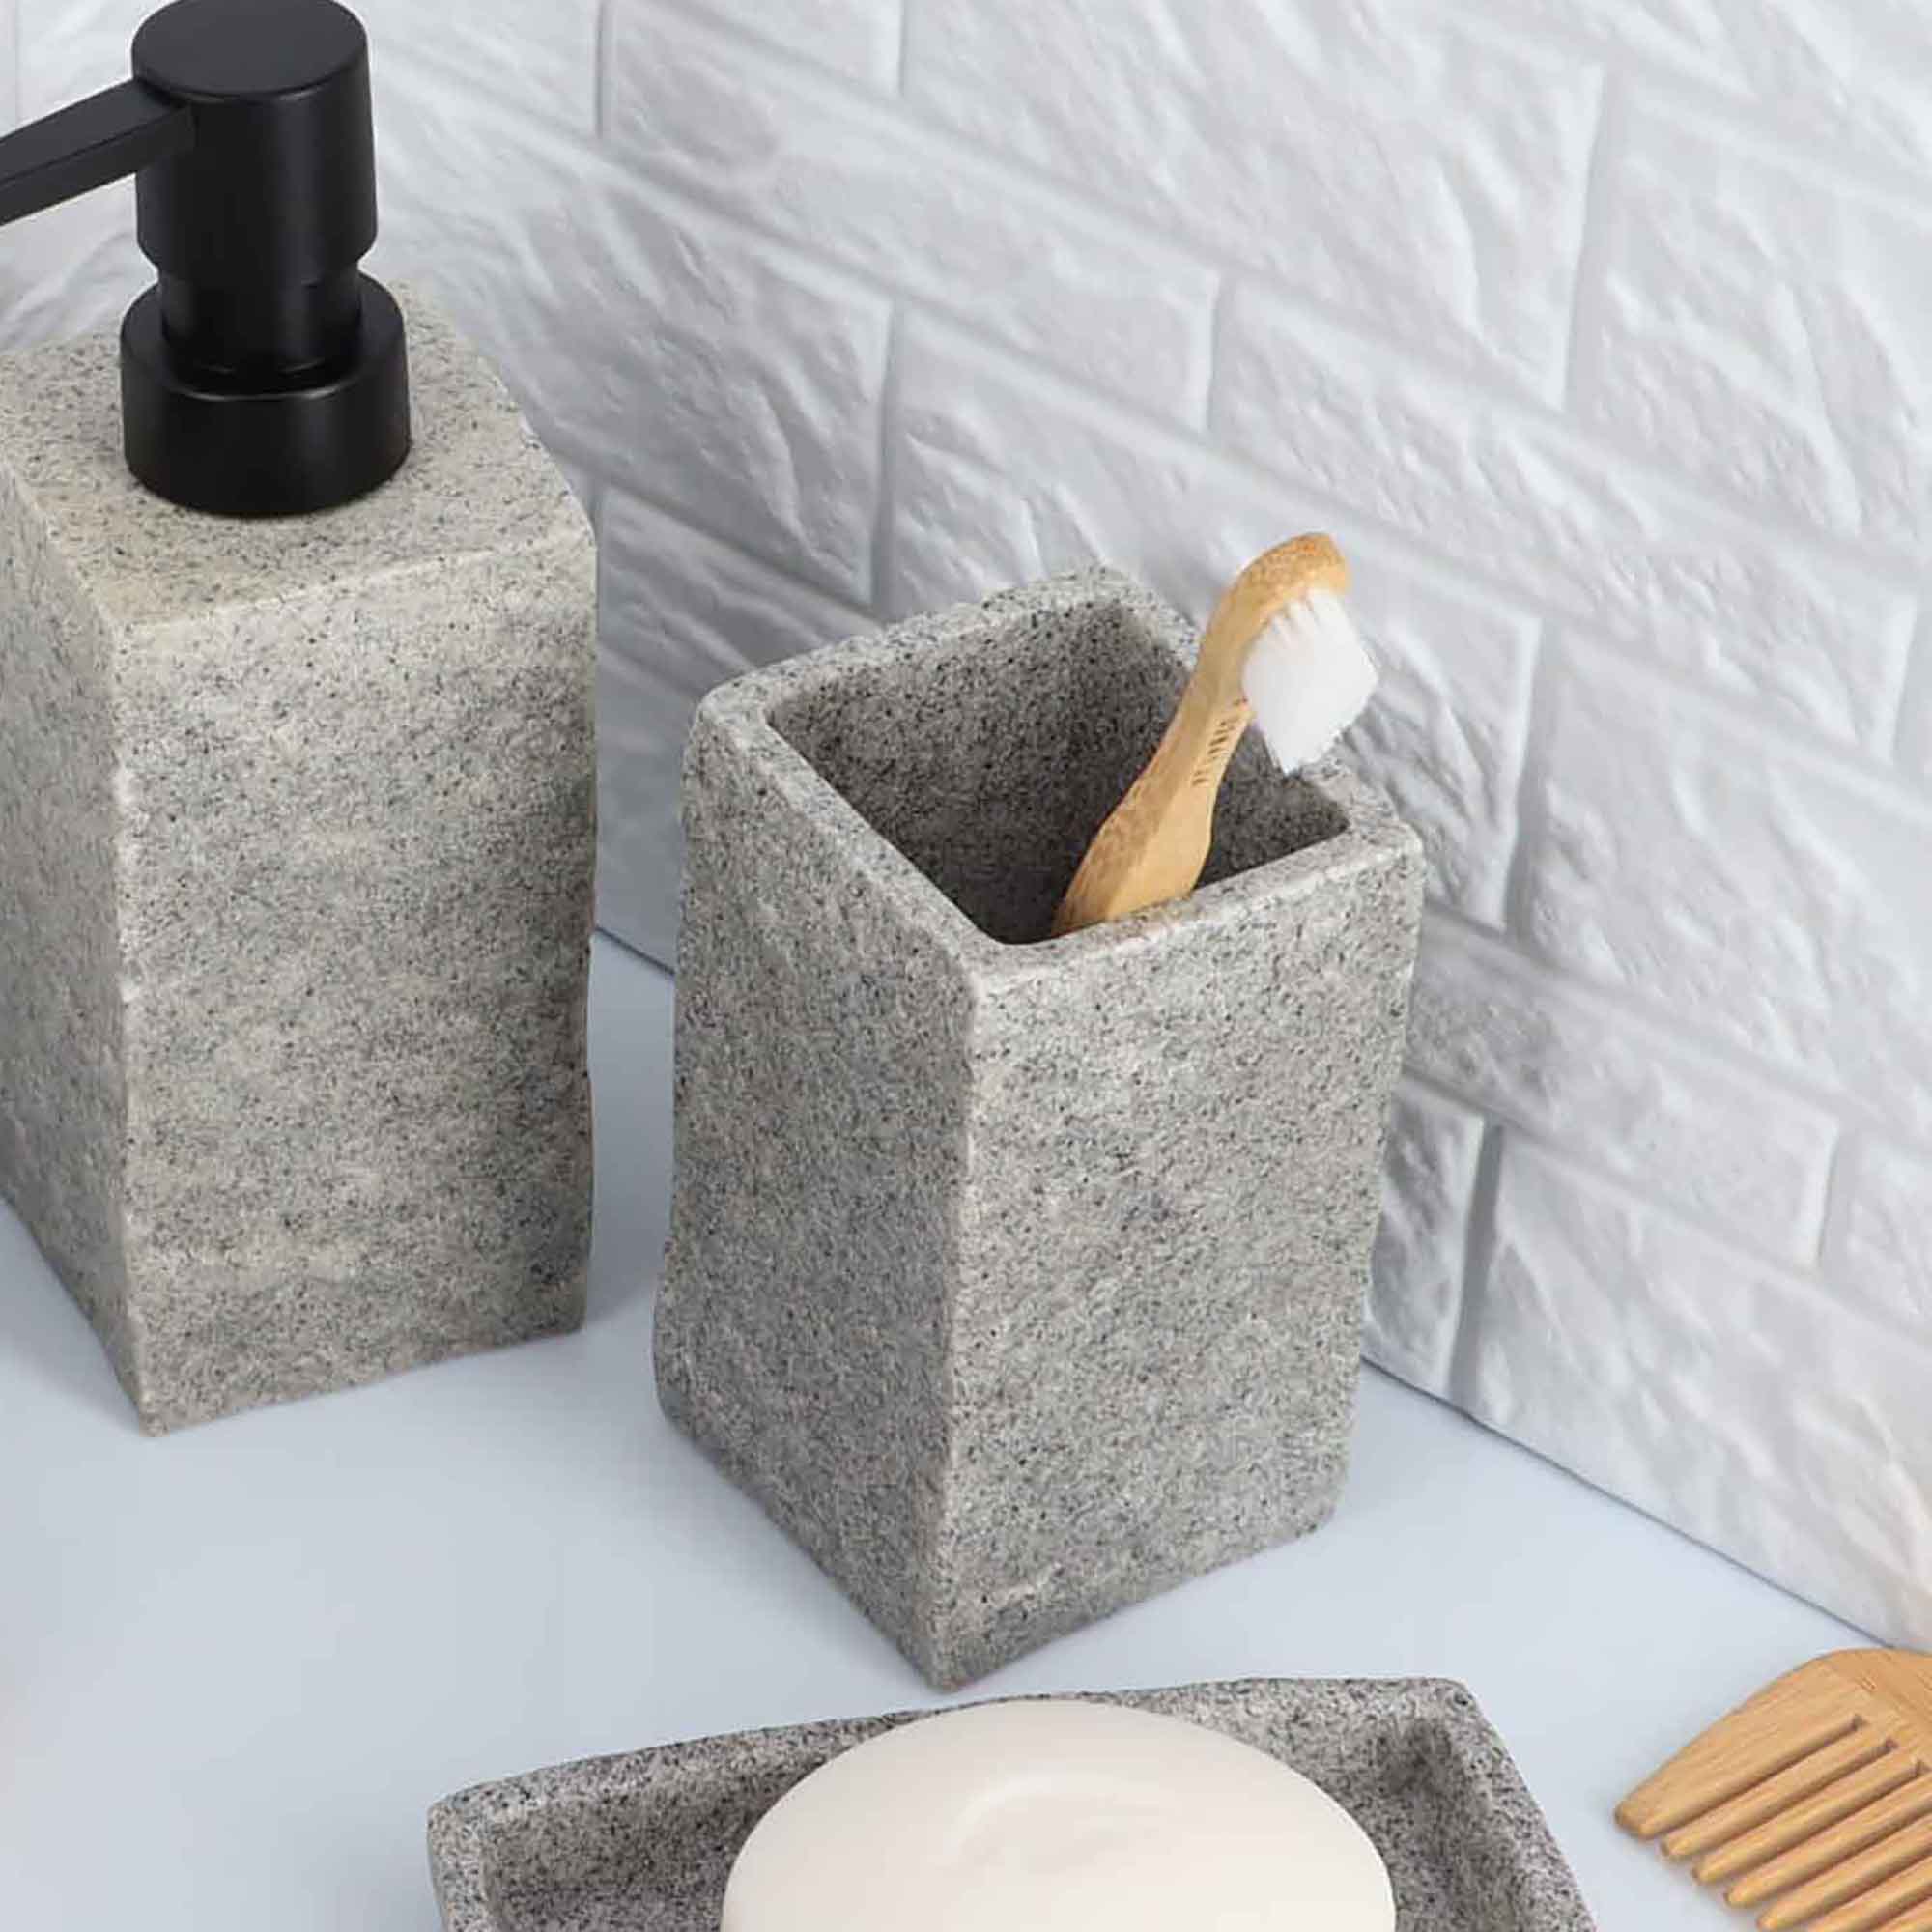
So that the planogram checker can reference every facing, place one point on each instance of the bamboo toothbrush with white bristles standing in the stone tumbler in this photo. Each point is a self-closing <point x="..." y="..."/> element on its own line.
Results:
<point x="1280" y="650"/>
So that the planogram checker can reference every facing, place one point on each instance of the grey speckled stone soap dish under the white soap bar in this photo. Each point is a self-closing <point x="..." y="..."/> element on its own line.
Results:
<point x="644" y="1844"/>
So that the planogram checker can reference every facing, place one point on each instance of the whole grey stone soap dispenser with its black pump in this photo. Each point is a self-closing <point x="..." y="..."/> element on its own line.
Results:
<point x="297" y="766"/>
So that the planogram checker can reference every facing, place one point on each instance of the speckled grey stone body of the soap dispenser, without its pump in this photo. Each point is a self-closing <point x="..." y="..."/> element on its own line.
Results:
<point x="297" y="853"/>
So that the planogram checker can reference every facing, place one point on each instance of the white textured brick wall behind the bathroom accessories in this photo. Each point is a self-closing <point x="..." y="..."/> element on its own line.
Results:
<point x="1597" y="329"/>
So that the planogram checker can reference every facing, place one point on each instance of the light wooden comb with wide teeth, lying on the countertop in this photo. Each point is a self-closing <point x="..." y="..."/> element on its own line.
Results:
<point x="1815" y="1800"/>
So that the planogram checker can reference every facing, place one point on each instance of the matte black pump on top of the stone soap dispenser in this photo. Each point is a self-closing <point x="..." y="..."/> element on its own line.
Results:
<point x="264" y="374"/>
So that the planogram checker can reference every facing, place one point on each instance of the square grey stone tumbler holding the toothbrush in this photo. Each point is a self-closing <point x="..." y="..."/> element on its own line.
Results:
<point x="1019" y="1280"/>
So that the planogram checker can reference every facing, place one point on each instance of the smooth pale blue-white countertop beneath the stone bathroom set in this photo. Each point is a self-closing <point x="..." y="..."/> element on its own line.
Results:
<point x="239" y="1664"/>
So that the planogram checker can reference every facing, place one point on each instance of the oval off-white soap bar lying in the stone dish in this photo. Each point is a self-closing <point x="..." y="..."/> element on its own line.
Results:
<point x="1065" y="1817"/>
